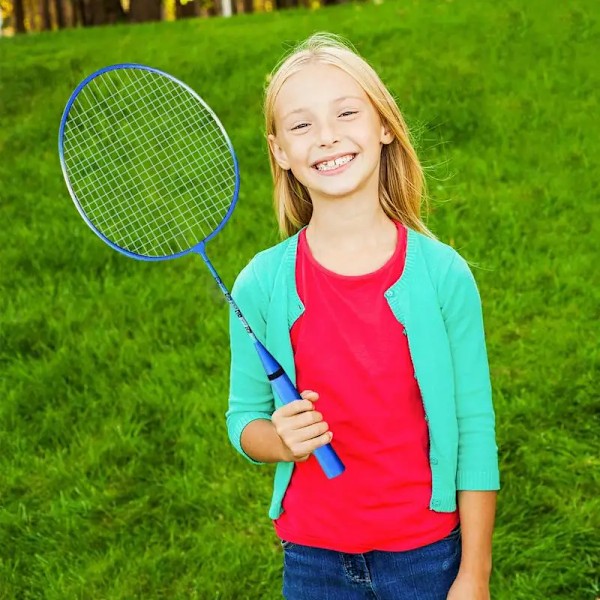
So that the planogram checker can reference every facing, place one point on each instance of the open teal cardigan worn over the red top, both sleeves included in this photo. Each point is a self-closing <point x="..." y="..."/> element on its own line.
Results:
<point x="437" y="301"/>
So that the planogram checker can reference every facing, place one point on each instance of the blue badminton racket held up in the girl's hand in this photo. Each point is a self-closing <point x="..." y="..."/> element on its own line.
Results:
<point x="153" y="173"/>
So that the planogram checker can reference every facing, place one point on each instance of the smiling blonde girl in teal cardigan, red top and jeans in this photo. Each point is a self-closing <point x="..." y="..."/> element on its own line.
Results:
<point x="380" y="325"/>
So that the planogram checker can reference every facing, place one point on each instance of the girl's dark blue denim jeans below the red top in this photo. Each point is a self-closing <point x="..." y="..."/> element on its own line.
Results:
<point x="426" y="573"/>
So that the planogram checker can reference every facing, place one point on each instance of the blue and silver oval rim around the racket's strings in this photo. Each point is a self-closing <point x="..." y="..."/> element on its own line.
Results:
<point x="82" y="205"/>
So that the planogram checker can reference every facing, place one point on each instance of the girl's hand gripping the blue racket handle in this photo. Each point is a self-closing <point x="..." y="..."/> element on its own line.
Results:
<point x="301" y="427"/>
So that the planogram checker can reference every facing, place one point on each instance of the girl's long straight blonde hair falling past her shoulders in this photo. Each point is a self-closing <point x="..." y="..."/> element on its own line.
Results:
<point x="402" y="186"/>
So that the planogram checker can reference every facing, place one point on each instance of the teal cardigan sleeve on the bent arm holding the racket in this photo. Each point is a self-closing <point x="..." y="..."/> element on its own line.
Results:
<point x="250" y="393"/>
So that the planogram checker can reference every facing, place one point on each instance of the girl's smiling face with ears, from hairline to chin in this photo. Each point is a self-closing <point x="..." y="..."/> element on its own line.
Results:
<point x="328" y="133"/>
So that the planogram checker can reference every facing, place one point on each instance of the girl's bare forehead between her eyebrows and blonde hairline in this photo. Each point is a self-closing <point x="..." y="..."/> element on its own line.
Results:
<point x="316" y="84"/>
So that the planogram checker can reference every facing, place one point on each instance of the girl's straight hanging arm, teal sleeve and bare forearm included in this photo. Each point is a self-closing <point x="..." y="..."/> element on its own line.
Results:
<point x="477" y="477"/>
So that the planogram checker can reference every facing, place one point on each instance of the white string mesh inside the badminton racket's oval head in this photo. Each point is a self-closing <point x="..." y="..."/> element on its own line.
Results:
<point x="165" y="208"/>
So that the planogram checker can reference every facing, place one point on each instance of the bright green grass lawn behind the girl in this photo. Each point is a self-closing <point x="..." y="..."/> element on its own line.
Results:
<point x="118" y="481"/>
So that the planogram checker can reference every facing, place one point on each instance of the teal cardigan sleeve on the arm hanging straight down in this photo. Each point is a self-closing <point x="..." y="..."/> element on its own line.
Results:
<point x="463" y="315"/>
